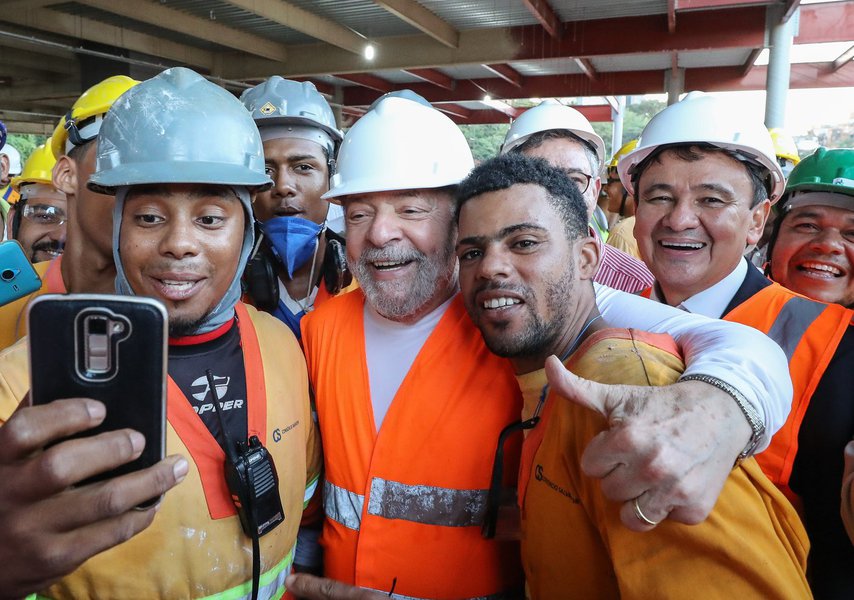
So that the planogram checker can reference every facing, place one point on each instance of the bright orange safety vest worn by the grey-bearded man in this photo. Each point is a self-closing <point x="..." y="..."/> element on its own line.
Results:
<point x="406" y="503"/>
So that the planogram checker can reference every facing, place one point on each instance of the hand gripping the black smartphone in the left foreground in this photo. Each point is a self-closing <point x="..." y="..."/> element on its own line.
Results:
<point x="49" y="527"/>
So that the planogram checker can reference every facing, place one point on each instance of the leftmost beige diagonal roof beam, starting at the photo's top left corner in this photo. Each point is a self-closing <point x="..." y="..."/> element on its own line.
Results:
<point x="82" y="28"/>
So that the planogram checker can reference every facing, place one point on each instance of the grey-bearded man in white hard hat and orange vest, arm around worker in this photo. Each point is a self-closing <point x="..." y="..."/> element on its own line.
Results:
<point x="403" y="380"/>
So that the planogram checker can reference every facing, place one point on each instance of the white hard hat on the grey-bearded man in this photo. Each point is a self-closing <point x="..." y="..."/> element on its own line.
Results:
<point x="400" y="145"/>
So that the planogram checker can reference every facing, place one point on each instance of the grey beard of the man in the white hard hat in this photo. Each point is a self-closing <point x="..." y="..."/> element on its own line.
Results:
<point x="401" y="298"/>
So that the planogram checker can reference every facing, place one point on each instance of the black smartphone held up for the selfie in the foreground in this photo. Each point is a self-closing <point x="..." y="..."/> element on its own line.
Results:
<point x="109" y="348"/>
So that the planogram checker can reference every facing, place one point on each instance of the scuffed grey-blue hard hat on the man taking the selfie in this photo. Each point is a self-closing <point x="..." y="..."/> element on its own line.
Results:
<point x="178" y="127"/>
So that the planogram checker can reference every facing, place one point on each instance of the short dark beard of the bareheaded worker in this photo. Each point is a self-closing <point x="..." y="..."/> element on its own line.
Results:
<point x="538" y="335"/>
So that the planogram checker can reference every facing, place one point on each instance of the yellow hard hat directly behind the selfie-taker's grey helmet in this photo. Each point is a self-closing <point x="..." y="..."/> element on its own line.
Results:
<point x="91" y="106"/>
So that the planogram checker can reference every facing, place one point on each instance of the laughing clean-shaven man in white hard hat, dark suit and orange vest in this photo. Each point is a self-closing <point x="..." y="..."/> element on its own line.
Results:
<point x="704" y="179"/>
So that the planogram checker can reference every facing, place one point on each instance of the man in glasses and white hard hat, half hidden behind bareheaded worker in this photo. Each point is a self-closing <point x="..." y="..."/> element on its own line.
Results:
<point x="565" y="138"/>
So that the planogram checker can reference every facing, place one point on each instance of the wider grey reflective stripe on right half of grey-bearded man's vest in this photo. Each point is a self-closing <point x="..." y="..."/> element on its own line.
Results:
<point x="426" y="504"/>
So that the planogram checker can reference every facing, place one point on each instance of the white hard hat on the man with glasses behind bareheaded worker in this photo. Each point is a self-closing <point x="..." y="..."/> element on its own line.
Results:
<point x="548" y="115"/>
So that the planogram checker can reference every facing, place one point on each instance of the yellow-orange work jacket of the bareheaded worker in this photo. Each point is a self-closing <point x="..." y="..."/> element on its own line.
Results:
<point x="574" y="544"/>
